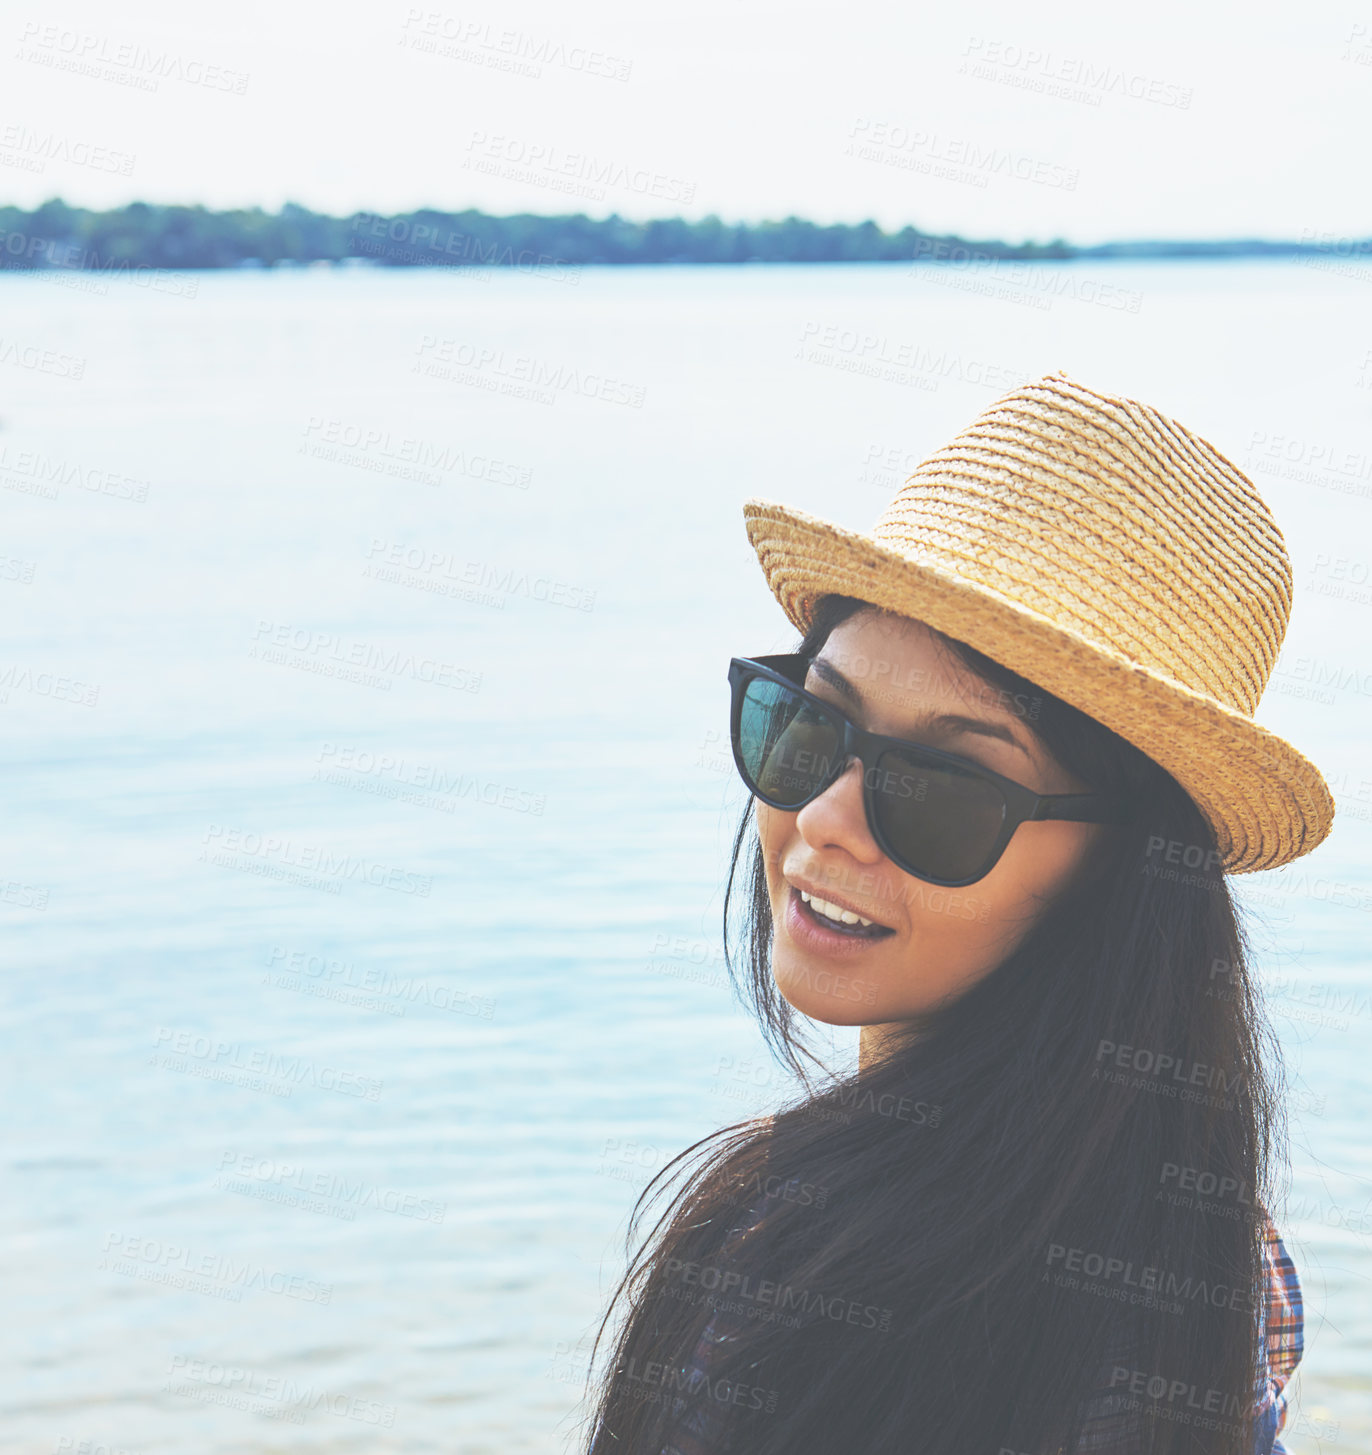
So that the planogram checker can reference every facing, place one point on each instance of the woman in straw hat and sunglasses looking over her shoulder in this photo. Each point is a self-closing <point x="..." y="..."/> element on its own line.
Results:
<point x="996" y="792"/>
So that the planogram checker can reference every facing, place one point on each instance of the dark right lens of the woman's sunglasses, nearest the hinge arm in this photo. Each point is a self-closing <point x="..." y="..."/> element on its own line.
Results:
<point x="941" y="820"/>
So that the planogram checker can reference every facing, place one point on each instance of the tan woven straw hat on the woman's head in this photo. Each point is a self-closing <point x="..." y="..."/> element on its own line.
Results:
<point x="1109" y="555"/>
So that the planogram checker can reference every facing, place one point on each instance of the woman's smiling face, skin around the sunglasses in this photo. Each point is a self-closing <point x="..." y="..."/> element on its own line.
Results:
<point x="894" y="677"/>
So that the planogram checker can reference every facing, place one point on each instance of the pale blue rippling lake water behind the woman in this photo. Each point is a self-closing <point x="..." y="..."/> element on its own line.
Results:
<point x="369" y="810"/>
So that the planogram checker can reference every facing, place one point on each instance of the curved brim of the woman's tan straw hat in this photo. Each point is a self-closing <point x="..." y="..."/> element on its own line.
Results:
<point x="1267" y="802"/>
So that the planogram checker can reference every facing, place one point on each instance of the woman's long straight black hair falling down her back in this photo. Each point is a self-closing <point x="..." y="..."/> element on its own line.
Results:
<point x="1066" y="1220"/>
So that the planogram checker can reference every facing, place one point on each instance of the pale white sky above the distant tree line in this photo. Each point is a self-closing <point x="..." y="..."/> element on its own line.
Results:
<point x="1090" y="123"/>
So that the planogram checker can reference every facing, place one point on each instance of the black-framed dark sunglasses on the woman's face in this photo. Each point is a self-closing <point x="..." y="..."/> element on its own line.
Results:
<point x="939" y="817"/>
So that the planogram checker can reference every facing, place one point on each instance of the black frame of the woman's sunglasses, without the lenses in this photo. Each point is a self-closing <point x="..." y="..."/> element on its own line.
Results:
<point x="1024" y="805"/>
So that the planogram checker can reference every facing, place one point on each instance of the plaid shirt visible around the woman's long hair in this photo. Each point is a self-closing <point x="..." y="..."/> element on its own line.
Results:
<point x="1281" y="1341"/>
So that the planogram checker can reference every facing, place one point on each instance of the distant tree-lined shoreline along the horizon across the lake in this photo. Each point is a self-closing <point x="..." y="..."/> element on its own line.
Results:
<point x="146" y="236"/>
